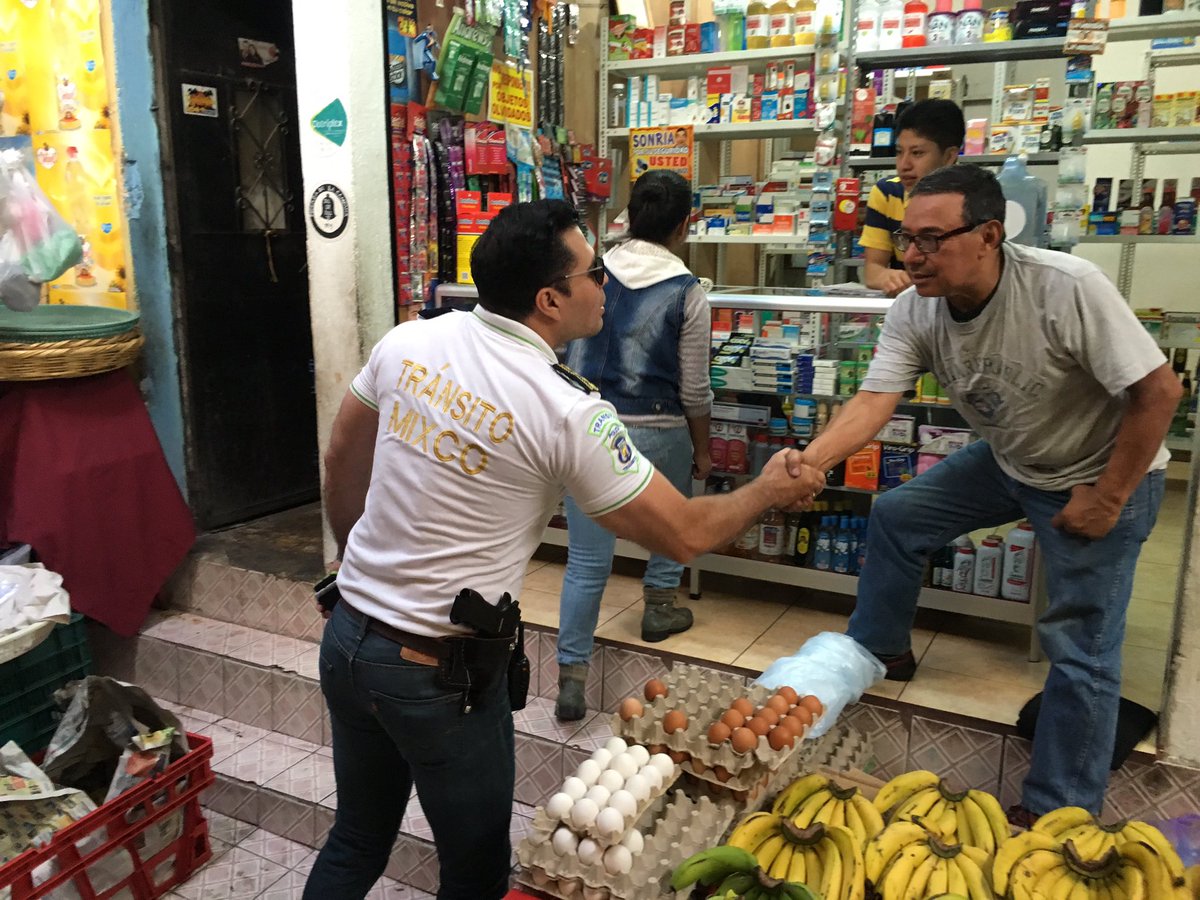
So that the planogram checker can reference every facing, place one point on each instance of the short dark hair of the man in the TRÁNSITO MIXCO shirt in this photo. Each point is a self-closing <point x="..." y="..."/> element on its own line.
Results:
<point x="521" y="253"/>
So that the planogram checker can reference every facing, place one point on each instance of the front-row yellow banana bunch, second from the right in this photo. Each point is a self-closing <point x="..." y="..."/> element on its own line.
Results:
<point x="908" y="862"/>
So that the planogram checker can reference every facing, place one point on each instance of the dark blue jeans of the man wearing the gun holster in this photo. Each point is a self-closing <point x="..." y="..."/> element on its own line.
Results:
<point x="394" y="727"/>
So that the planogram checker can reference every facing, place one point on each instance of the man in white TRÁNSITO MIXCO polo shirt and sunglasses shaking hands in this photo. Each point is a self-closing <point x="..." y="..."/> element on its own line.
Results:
<point x="448" y="455"/>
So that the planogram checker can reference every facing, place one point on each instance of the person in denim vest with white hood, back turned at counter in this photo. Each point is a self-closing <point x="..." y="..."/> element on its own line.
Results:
<point x="651" y="362"/>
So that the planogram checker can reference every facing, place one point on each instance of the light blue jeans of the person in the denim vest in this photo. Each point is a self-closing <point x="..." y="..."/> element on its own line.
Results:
<point x="591" y="548"/>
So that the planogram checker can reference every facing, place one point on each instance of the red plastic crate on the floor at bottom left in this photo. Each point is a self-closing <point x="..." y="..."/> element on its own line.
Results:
<point x="128" y="819"/>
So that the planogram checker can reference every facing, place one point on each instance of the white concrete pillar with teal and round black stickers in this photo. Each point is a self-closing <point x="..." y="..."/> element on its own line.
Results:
<point x="340" y="56"/>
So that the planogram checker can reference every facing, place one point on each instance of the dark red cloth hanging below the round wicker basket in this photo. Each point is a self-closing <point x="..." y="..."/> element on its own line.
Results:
<point x="83" y="482"/>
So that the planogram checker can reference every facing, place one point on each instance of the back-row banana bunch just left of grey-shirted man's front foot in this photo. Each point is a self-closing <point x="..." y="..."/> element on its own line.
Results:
<point x="973" y="819"/>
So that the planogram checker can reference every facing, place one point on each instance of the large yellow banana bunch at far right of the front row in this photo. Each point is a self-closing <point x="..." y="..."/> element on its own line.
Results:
<point x="1037" y="866"/>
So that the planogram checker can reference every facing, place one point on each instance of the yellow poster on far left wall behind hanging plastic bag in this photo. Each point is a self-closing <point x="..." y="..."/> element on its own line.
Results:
<point x="55" y="80"/>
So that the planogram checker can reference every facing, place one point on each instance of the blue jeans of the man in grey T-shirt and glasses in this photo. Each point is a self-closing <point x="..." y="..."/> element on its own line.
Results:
<point x="1089" y="586"/>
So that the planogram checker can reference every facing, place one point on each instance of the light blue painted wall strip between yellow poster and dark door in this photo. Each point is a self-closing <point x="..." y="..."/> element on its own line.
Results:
<point x="147" y="226"/>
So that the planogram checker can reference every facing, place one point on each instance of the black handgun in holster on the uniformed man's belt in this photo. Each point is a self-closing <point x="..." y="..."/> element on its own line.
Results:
<point x="476" y="664"/>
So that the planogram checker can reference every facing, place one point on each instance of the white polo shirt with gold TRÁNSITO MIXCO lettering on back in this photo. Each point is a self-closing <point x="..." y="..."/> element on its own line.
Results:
<point x="478" y="441"/>
